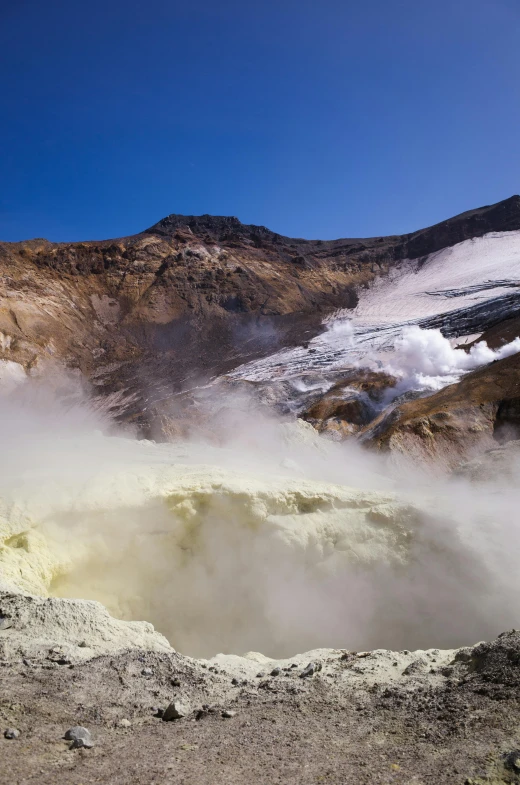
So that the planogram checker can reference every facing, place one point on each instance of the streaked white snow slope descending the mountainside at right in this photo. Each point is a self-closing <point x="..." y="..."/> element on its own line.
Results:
<point x="461" y="290"/>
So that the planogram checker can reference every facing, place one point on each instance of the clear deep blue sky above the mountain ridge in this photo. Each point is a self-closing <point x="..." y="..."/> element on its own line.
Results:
<point x="316" y="118"/>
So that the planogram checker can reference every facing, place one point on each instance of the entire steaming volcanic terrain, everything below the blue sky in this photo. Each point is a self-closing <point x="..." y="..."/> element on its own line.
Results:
<point x="258" y="506"/>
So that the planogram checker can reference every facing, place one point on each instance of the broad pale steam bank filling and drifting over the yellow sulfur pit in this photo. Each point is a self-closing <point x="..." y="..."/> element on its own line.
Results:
<point x="277" y="541"/>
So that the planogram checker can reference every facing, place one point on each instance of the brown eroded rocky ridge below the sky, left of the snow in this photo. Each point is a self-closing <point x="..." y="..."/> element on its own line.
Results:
<point x="190" y="298"/>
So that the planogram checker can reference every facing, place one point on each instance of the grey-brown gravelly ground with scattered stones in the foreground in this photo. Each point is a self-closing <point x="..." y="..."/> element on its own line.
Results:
<point x="409" y="717"/>
